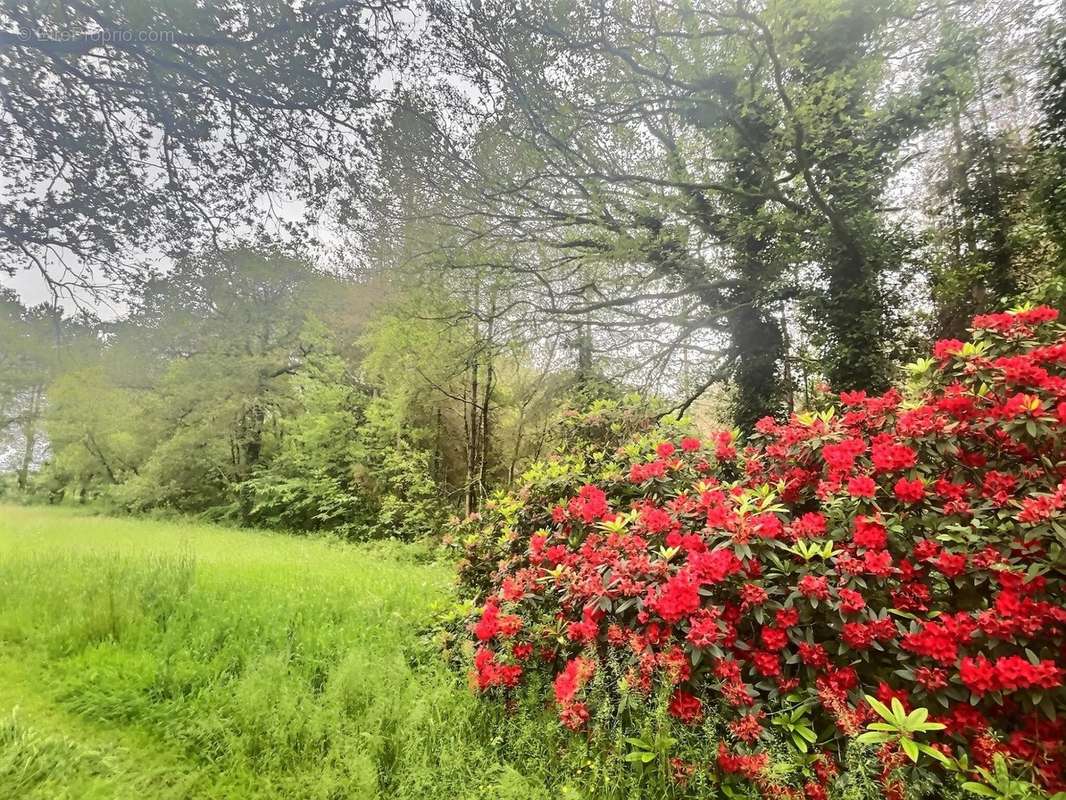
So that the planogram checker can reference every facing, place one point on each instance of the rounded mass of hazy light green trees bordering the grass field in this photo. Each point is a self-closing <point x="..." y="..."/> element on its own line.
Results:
<point x="234" y="393"/>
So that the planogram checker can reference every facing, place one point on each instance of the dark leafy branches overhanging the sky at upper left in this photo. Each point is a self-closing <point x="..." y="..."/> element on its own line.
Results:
<point x="133" y="125"/>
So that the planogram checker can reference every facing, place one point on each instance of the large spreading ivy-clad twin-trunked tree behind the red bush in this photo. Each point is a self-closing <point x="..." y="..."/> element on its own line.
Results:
<point x="688" y="172"/>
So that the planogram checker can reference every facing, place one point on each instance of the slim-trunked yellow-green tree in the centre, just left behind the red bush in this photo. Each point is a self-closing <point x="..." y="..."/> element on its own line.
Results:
<point x="459" y="388"/>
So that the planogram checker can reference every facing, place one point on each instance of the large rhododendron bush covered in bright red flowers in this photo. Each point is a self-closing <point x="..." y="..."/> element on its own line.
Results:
<point x="906" y="548"/>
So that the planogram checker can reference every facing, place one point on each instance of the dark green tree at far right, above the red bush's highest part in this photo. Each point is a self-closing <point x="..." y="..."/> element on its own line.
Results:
<point x="990" y="242"/>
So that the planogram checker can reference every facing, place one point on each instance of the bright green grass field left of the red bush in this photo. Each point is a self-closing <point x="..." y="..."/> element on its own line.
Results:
<point x="164" y="661"/>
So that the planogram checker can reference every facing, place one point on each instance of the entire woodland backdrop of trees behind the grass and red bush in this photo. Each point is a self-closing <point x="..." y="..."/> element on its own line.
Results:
<point x="351" y="267"/>
